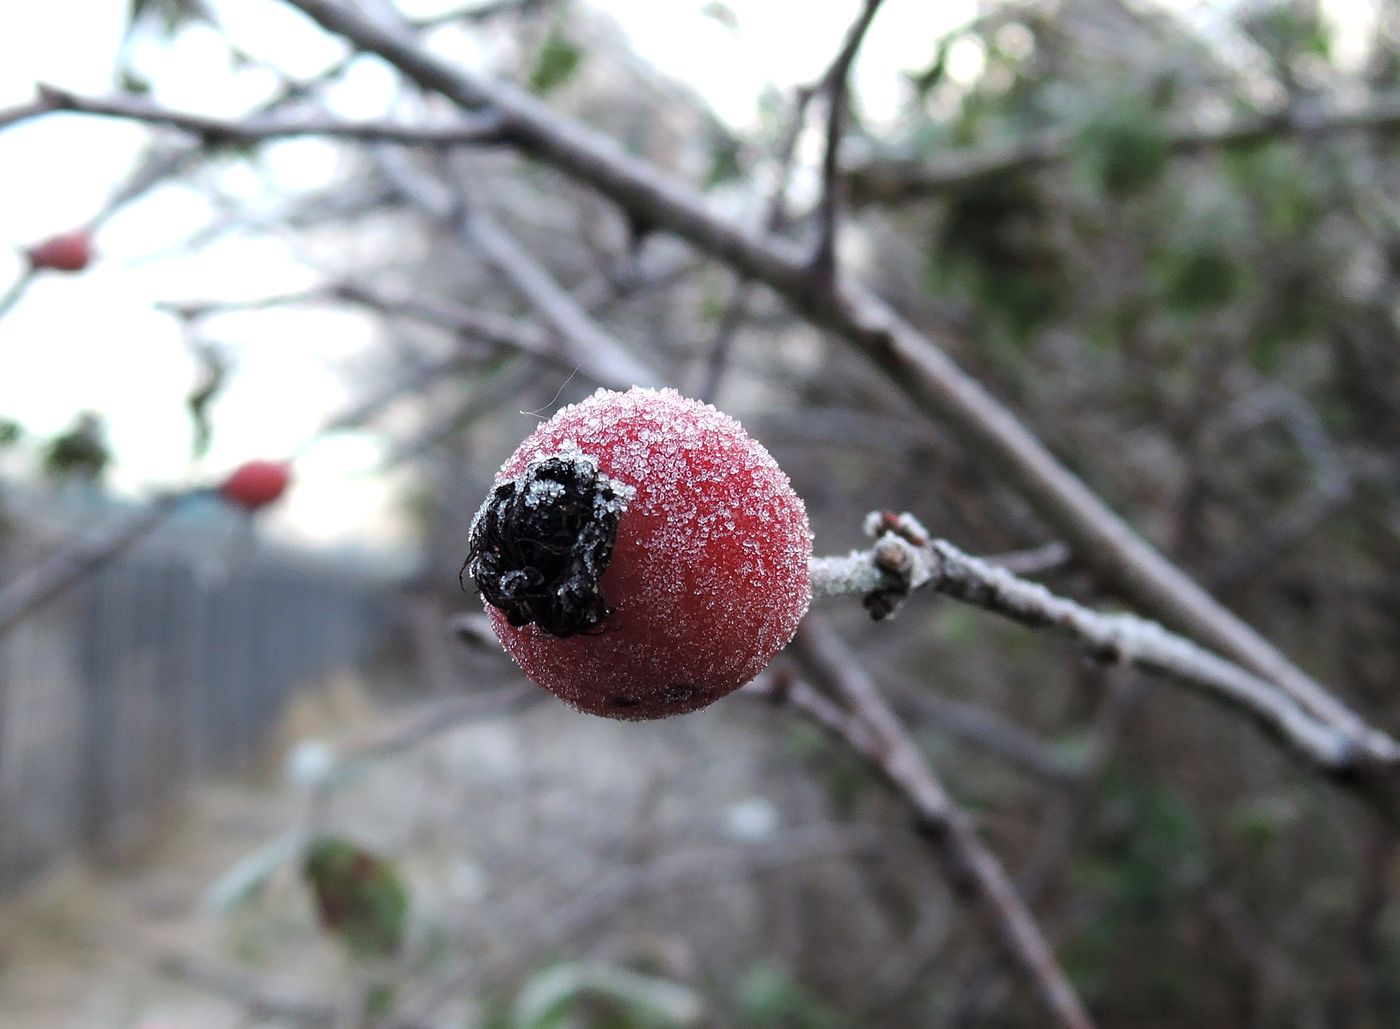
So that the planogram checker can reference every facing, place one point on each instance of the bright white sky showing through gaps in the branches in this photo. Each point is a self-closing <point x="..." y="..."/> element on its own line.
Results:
<point x="94" y="341"/>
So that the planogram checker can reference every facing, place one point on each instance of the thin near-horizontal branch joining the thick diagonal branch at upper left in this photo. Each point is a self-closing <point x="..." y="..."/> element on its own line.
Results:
<point x="215" y="131"/>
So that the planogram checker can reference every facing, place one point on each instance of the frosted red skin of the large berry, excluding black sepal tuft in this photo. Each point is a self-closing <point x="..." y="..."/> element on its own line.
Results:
<point x="709" y="576"/>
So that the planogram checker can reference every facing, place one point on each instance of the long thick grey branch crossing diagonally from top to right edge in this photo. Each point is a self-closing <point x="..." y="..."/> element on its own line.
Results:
<point x="912" y="360"/>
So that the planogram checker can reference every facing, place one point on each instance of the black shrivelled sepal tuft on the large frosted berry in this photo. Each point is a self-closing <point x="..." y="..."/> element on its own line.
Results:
<point x="541" y="544"/>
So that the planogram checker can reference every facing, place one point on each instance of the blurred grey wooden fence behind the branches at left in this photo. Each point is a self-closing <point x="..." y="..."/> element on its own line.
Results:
<point x="167" y="666"/>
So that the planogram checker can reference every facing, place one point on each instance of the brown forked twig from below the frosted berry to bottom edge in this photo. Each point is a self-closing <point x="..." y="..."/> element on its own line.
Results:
<point x="870" y="729"/>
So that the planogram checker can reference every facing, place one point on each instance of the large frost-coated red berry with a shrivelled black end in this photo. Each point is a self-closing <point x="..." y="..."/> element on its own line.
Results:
<point x="642" y="556"/>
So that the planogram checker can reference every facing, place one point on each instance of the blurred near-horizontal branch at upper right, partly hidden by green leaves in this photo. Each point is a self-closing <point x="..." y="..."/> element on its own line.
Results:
<point x="904" y="181"/>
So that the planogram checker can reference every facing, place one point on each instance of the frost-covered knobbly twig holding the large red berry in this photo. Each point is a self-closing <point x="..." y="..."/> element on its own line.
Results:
<point x="906" y="559"/>
